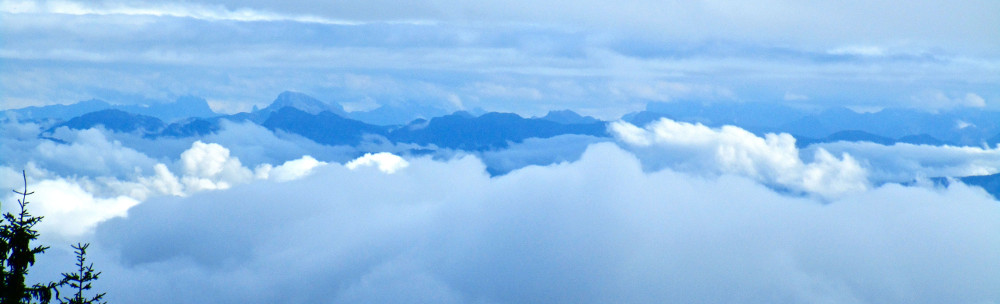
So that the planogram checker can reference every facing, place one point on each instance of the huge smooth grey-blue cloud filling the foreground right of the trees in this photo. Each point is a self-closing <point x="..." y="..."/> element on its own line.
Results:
<point x="598" y="229"/>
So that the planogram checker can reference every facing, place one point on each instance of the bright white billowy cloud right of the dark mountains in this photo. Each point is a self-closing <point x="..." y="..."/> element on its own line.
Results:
<point x="772" y="160"/>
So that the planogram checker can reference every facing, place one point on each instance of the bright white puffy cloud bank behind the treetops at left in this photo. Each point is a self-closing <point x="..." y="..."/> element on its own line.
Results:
<point x="74" y="203"/>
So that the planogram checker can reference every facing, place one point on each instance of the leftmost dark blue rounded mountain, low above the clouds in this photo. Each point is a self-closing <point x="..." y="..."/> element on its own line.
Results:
<point x="114" y="120"/>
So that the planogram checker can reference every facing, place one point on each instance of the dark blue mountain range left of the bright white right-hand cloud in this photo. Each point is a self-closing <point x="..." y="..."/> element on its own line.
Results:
<point x="329" y="124"/>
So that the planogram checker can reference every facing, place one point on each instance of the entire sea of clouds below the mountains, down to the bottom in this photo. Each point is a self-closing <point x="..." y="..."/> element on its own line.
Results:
<point x="668" y="212"/>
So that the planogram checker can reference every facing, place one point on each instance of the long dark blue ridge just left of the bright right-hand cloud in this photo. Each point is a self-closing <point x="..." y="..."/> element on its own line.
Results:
<point x="462" y="130"/>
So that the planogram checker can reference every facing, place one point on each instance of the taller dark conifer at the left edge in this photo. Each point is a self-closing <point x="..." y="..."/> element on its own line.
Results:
<point x="16" y="234"/>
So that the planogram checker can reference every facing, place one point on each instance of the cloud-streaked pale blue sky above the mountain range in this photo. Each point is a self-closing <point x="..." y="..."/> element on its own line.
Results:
<point x="599" y="58"/>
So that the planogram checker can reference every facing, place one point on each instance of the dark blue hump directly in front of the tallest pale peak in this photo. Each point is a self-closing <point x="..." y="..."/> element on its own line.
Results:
<point x="324" y="127"/>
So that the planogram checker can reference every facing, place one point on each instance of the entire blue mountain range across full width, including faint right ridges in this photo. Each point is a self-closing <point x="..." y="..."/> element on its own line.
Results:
<point x="329" y="124"/>
